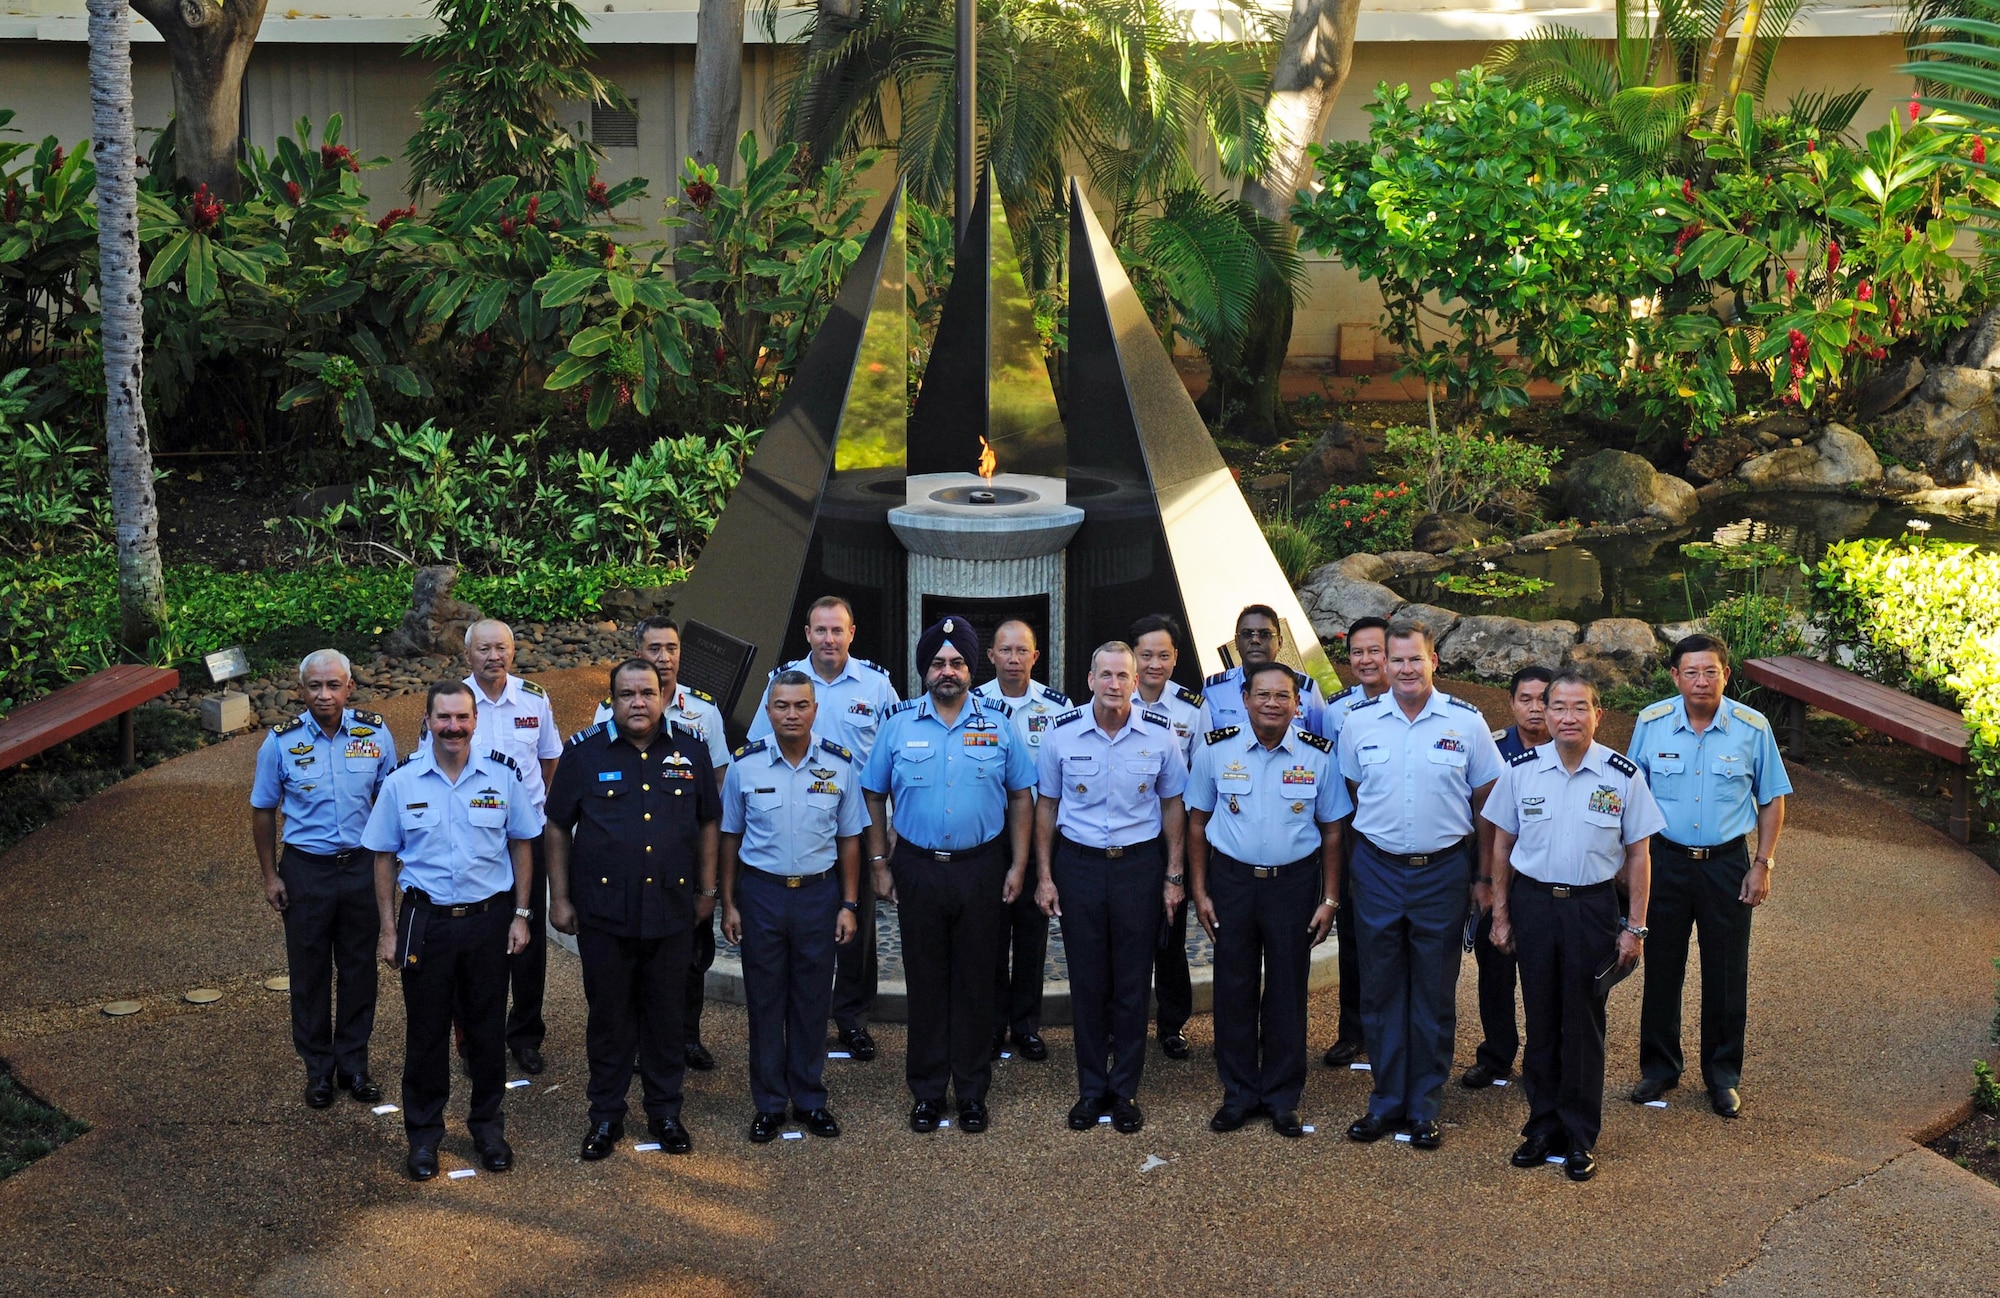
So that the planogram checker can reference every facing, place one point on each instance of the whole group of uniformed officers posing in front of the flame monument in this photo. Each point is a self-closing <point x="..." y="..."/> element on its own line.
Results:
<point x="1387" y="815"/>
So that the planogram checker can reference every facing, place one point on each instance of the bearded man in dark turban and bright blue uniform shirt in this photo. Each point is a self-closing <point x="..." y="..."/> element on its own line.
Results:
<point x="961" y="785"/>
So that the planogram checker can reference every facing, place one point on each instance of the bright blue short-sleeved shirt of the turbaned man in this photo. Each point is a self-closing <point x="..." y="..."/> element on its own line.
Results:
<point x="949" y="783"/>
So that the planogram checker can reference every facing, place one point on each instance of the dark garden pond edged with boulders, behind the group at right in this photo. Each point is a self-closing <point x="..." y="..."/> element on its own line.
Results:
<point x="1649" y="577"/>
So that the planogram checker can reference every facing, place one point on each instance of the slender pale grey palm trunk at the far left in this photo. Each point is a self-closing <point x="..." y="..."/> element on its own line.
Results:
<point x="135" y="511"/>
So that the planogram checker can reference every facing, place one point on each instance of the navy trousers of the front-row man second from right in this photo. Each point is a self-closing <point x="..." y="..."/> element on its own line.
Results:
<point x="1409" y="923"/>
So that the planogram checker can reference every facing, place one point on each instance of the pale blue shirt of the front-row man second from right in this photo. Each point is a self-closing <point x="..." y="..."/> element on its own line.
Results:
<point x="1415" y="779"/>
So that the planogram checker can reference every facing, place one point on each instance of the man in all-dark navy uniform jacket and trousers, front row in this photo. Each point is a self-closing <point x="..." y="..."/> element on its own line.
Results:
<point x="633" y="871"/>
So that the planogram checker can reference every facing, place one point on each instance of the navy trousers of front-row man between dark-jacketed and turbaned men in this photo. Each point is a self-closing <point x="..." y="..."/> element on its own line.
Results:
<point x="789" y="985"/>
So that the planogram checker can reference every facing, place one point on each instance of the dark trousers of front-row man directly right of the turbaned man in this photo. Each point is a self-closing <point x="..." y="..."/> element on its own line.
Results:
<point x="1111" y="931"/>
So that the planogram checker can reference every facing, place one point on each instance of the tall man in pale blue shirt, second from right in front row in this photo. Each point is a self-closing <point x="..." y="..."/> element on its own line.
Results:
<point x="1421" y="765"/>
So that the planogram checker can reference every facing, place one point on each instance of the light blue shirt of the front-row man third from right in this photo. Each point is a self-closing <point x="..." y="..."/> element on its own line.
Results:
<point x="1267" y="805"/>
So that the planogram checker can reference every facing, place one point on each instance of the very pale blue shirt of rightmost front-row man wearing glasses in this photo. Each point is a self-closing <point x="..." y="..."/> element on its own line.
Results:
<point x="1573" y="829"/>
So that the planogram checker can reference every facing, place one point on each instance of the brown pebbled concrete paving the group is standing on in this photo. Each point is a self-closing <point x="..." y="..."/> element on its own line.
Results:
<point x="207" y="1175"/>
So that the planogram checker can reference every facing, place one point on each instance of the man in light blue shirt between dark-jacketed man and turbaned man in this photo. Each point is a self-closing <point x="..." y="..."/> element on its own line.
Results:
<point x="793" y="815"/>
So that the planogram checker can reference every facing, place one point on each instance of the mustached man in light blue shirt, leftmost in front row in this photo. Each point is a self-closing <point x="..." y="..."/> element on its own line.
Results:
<point x="461" y="823"/>
